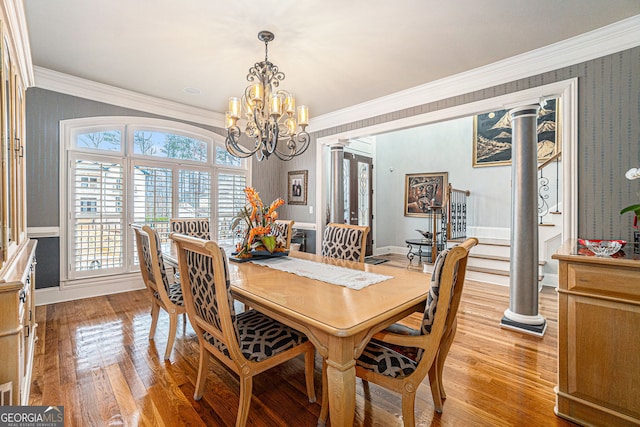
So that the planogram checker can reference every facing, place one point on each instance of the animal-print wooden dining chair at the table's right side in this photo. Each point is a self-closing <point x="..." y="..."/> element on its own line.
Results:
<point x="399" y="358"/>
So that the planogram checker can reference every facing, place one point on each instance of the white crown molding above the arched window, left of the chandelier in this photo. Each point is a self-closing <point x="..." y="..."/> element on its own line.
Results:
<point x="83" y="88"/>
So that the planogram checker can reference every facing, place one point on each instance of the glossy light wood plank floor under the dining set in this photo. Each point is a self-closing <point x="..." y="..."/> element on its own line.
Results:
<point x="94" y="357"/>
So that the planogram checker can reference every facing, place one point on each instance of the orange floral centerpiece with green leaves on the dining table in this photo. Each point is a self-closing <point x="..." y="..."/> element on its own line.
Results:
<point x="259" y="219"/>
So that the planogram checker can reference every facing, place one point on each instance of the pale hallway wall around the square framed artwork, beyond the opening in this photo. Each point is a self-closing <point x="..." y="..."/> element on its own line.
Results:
<point x="435" y="148"/>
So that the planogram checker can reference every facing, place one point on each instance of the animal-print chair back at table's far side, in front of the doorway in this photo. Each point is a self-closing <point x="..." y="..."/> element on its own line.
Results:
<point x="345" y="241"/>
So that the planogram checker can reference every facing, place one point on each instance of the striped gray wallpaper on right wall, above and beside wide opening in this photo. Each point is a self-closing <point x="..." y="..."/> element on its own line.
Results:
<point x="608" y="136"/>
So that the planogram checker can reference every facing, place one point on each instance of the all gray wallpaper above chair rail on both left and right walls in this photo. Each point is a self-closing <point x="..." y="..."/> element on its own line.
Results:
<point x="608" y="135"/>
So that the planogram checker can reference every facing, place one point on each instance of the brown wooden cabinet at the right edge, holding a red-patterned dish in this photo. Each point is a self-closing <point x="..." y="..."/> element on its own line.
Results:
<point x="598" y="338"/>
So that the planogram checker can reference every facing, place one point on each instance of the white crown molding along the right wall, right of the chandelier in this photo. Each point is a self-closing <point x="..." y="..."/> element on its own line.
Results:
<point x="610" y="39"/>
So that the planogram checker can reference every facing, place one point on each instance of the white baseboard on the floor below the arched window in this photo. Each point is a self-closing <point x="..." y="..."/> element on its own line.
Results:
<point x="71" y="292"/>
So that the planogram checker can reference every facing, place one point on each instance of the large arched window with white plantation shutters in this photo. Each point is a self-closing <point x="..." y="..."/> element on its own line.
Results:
<point x="122" y="170"/>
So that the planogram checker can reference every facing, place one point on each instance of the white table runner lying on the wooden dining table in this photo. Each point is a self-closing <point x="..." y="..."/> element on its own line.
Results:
<point x="352" y="279"/>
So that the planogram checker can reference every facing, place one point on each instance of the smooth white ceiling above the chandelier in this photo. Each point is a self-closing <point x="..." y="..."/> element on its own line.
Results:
<point x="334" y="53"/>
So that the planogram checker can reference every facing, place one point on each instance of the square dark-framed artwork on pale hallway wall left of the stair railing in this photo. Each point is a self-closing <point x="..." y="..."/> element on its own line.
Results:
<point x="423" y="191"/>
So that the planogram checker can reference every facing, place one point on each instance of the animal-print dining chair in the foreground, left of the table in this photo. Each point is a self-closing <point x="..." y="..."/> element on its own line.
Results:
<point x="248" y="343"/>
